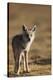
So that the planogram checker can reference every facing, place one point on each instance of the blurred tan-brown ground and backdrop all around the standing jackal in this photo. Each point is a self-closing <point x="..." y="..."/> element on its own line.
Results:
<point x="40" y="52"/>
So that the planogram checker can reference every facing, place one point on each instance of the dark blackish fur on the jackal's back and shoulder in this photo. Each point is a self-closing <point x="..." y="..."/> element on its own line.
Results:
<point x="18" y="41"/>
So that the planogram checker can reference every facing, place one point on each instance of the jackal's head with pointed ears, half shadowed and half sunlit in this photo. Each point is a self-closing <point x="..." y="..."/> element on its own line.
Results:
<point x="29" y="34"/>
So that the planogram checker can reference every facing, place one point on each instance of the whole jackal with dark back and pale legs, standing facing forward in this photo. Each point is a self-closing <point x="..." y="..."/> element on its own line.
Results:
<point x="21" y="45"/>
